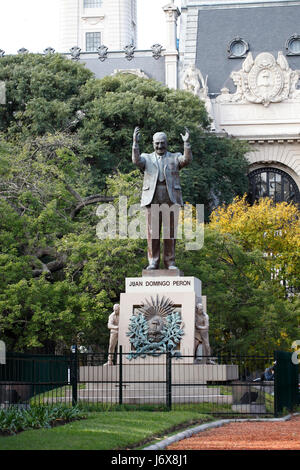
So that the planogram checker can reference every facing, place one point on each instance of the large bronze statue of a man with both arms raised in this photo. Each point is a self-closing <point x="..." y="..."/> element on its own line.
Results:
<point x="161" y="186"/>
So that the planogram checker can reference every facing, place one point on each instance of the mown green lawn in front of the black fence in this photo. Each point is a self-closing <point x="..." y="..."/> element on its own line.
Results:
<point x="105" y="431"/>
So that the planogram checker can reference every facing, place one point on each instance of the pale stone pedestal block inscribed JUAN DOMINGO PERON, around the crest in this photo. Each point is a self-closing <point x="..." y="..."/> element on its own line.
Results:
<point x="183" y="291"/>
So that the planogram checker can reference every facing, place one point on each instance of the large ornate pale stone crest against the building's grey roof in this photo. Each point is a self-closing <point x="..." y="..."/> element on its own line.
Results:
<point x="262" y="80"/>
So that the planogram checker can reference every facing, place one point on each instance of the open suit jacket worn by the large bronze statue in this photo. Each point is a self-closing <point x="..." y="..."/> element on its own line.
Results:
<point x="172" y="163"/>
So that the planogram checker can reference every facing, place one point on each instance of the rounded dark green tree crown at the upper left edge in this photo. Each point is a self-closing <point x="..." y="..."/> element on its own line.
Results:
<point x="42" y="93"/>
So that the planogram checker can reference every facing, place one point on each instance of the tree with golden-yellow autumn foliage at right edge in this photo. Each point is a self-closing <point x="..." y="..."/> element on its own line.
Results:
<point x="272" y="228"/>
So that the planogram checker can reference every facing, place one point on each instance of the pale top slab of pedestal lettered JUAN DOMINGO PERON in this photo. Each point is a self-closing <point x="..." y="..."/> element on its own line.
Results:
<point x="163" y="284"/>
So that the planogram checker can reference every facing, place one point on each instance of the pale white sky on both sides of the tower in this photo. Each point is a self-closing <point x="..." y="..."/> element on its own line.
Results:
<point x="33" y="24"/>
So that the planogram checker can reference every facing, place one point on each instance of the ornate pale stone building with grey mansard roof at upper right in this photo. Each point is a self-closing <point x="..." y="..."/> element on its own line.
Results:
<point x="245" y="56"/>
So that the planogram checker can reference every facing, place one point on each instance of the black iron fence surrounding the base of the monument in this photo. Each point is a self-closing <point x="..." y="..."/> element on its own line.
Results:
<point x="228" y="384"/>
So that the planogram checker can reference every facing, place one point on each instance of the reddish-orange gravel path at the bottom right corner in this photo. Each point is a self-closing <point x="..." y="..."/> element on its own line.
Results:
<point x="284" y="435"/>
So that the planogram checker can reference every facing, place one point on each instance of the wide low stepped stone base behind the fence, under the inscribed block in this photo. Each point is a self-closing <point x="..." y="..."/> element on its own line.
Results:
<point x="146" y="383"/>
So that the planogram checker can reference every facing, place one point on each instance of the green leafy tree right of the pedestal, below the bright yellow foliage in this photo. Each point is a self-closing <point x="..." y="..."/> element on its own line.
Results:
<point x="248" y="311"/>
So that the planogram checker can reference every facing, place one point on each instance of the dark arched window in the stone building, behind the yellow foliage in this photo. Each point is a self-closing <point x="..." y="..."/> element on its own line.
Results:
<point x="274" y="183"/>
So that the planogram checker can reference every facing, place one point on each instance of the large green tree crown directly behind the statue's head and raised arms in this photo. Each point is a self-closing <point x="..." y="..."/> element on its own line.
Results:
<point x="115" y="105"/>
